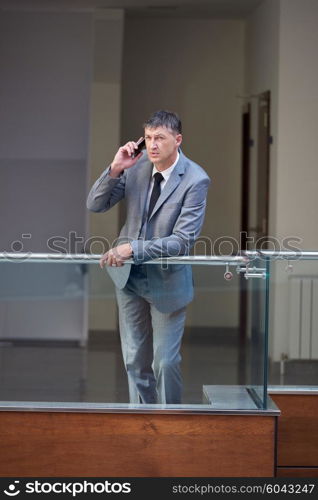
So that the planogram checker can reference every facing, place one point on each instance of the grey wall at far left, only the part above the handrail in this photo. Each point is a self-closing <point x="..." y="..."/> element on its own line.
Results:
<point x="44" y="98"/>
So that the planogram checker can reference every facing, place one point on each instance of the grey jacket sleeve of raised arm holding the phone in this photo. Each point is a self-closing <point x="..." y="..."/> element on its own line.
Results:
<point x="106" y="192"/>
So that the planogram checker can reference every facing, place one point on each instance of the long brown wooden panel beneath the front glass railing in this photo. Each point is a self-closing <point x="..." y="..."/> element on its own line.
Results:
<point x="125" y="445"/>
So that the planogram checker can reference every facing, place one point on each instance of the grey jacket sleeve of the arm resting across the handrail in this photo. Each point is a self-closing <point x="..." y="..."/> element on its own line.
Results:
<point x="186" y="229"/>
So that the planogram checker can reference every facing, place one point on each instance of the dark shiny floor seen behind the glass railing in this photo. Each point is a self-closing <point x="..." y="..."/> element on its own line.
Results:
<point x="44" y="372"/>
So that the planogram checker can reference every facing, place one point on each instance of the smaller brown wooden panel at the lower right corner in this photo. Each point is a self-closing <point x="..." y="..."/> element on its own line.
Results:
<point x="297" y="430"/>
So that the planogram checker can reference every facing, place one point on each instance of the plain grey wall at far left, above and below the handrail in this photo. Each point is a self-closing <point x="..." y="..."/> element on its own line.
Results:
<point x="44" y="99"/>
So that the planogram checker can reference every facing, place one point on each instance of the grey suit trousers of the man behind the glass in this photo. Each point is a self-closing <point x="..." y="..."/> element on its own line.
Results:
<point x="150" y="341"/>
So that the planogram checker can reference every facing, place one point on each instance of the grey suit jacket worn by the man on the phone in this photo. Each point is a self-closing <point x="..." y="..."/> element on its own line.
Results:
<point x="171" y="230"/>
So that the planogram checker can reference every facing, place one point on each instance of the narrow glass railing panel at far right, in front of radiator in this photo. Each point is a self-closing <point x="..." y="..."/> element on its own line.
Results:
<point x="293" y="320"/>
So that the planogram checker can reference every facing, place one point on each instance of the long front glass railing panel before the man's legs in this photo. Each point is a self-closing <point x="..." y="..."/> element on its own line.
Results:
<point x="60" y="341"/>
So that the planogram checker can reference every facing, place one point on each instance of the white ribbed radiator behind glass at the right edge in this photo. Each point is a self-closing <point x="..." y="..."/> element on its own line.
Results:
<point x="303" y="317"/>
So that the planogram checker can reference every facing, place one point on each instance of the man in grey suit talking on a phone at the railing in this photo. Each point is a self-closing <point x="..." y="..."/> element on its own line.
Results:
<point x="165" y="194"/>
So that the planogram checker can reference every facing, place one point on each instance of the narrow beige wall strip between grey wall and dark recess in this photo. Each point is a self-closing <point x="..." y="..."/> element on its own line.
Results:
<point x="104" y="142"/>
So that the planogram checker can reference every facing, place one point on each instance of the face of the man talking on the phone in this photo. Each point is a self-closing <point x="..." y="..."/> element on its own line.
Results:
<point x="162" y="145"/>
